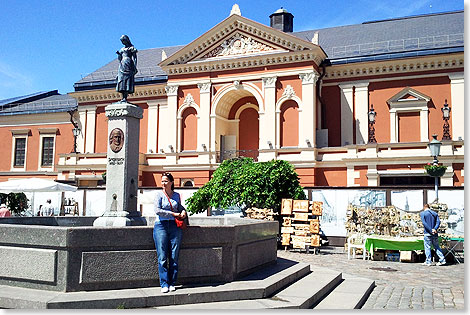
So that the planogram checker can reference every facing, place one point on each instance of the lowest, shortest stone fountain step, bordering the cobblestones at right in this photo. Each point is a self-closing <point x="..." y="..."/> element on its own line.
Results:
<point x="351" y="293"/>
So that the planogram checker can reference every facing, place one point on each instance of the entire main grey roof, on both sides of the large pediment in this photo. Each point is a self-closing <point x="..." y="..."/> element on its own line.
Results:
<point x="376" y="40"/>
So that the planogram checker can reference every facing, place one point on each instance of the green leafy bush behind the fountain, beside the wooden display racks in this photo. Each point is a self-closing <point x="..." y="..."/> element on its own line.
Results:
<point x="245" y="183"/>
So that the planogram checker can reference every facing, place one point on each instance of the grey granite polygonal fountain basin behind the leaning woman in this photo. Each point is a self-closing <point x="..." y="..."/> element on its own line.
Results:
<point x="68" y="254"/>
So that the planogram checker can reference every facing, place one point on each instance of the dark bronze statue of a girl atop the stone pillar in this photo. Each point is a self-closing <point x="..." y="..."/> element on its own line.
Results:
<point x="127" y="57"/>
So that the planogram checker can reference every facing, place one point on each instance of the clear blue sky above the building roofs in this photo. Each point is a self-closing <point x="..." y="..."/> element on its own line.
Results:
<point x="51" y="44"/>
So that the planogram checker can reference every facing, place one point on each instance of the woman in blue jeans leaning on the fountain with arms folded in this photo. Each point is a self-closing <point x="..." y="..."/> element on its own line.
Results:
<point x="166" y="234"/>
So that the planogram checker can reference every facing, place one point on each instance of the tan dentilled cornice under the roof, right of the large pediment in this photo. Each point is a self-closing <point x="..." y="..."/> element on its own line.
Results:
<point x="397" y="66"/>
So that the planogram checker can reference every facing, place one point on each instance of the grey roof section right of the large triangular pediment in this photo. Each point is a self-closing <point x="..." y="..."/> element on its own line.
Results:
<point x="393" y="38"/>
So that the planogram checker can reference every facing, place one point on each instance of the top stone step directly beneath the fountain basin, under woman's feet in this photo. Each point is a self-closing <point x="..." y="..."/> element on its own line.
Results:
<point x="257" y="285"/>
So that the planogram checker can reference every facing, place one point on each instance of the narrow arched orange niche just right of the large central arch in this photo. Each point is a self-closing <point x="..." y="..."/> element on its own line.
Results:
<point x="289" y="124"/>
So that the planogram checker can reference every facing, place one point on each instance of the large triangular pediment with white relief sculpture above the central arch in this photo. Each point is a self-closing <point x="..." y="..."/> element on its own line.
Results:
<point x="239" y="37"/>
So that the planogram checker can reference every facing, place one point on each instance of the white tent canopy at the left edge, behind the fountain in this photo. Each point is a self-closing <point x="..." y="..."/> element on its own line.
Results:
<point x="33" y="185"/>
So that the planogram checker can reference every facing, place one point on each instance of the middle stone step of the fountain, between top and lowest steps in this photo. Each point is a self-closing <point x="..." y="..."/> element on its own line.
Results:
<point x="300" y="294"/>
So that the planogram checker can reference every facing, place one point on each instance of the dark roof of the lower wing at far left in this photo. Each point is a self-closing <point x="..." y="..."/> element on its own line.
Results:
<point x="37" y="103"/>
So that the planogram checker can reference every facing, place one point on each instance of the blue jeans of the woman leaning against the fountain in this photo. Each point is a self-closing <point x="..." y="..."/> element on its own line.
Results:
<point x="167" y="237"/>
